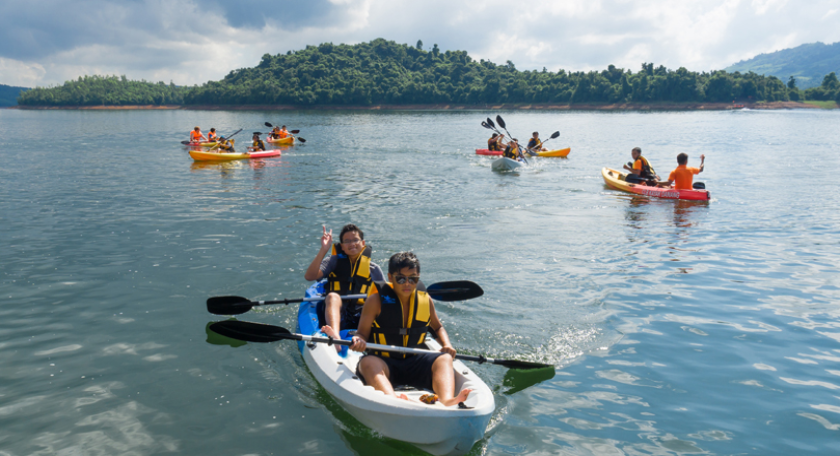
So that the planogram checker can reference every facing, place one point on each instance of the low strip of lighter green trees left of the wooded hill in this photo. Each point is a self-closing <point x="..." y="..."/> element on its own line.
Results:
<point x="104" y="91"/>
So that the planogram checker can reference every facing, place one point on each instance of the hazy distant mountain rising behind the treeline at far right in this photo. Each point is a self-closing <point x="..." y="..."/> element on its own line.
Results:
<point x="808" y="64"/>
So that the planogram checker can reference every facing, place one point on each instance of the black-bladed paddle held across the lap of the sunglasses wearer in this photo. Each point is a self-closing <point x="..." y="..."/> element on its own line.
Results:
<point x="256" y="332"/>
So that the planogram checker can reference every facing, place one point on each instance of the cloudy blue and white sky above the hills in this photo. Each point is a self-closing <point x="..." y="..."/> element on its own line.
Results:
<point x="47" y="42"/>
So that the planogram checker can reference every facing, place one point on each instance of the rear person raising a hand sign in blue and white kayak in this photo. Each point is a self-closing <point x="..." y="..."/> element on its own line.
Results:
<point x="349" y="271"/>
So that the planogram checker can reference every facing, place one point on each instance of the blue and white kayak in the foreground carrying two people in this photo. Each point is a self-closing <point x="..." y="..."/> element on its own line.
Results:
<point x="434" y="428"/>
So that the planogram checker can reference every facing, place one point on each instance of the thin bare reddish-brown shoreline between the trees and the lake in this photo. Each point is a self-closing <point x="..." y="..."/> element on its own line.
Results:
<point x="654" y="106"/>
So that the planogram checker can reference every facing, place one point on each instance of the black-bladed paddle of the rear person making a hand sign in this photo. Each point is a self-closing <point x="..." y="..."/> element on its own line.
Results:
<point x="456" y="290"/>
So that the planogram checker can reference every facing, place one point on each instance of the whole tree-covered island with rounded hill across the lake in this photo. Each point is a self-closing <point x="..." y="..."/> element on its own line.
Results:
<point x="384" y="72"/>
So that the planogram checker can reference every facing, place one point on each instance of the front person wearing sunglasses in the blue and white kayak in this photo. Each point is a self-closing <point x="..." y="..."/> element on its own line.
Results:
<point x="387" y="319"/>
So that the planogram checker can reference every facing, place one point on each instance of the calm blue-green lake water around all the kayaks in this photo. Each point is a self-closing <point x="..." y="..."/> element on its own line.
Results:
<point x="675" y="327"/>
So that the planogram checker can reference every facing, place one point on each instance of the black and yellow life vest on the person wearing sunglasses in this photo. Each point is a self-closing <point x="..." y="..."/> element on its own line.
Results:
<point x="389" y="328"/>
